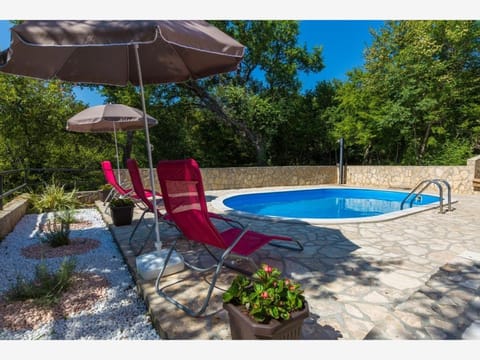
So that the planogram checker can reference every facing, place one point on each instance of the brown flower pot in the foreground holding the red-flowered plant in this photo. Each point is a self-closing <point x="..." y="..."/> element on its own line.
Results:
<point x="243" y="327"/>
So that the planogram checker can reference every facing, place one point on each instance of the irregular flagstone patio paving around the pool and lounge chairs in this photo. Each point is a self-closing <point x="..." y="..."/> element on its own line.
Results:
<point x="415" y="277"/>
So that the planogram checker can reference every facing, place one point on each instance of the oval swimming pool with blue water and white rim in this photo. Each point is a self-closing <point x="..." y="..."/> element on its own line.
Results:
<point x="326" y="204"/>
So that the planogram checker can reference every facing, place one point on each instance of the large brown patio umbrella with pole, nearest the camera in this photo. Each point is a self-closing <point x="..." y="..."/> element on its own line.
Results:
<point x="121" y="53"/>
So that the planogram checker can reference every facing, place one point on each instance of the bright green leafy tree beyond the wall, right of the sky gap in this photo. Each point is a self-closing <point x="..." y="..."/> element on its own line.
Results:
<point x="417" y="101"/>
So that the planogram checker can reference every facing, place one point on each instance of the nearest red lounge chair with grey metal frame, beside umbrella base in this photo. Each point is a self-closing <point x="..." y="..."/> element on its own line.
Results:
<point x="185" y="202"/>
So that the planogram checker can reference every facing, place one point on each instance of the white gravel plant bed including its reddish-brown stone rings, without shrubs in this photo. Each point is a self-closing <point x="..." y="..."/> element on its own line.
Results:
<point x="118" y="313"/>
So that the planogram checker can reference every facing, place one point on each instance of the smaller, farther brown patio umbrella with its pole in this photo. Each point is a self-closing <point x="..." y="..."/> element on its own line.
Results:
<point x="109" y="118"/>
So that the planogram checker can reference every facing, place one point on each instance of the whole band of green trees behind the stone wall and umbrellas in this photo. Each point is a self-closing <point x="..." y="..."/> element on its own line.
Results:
<point x="415" y="101"/>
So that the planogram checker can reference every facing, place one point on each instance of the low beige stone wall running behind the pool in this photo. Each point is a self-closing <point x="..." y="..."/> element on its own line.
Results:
<point x="460" y="178"/>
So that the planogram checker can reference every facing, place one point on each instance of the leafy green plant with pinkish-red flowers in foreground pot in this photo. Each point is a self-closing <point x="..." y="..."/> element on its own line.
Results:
<point x="266" y="295"/>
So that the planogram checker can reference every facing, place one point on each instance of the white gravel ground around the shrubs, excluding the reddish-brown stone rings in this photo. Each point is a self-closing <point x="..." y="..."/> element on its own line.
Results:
<point x="116" y="313"/>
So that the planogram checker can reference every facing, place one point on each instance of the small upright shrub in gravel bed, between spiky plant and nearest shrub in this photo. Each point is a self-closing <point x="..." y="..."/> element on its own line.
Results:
<point x="56" y="231"/>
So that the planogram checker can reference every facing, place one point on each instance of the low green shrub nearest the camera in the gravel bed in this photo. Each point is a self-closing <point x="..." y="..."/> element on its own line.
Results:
<point x="46" y="288"/>
